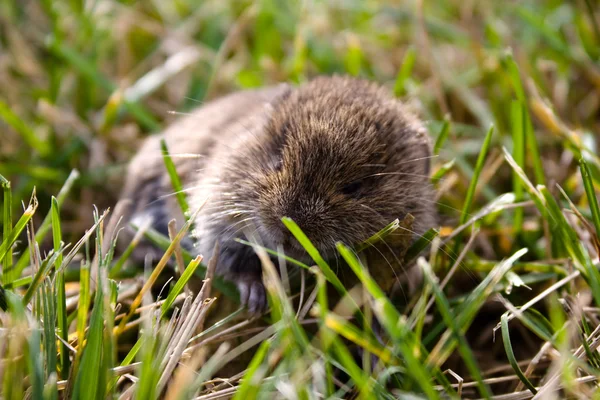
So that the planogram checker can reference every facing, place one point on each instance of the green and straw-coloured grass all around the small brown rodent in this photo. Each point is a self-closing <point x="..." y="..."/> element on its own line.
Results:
<point x="509" y="304"/>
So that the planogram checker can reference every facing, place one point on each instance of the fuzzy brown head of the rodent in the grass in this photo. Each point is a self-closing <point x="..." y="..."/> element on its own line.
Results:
<point x="340" y="157"/>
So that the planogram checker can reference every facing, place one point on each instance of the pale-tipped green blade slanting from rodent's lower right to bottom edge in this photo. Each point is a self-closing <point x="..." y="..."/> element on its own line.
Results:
<point x="450" y="321"/>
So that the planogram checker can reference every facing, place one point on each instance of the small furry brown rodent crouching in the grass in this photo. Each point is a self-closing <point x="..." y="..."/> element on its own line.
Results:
<point x="340" y="156"/>
